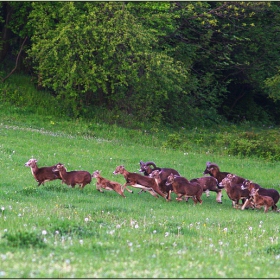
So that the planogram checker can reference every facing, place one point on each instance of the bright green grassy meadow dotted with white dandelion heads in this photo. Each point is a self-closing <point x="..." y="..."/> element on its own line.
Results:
<point x="54" y="231"/>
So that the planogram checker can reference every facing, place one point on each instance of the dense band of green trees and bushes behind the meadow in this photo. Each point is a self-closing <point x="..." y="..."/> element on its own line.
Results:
<point x="178" y="63"/>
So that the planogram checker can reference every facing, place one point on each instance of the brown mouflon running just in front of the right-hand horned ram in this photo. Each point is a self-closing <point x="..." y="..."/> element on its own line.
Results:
<point x="233" y="189"/>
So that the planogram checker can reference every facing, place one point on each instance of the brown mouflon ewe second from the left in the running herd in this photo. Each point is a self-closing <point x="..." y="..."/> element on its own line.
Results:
<point x="73" y="178"/>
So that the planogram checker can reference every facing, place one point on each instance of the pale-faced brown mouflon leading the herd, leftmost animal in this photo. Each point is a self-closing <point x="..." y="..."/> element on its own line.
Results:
<point x="42" y="174"/>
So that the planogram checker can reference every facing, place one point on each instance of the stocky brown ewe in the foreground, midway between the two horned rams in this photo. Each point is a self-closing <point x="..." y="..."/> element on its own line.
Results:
<point x="183" y="188"/>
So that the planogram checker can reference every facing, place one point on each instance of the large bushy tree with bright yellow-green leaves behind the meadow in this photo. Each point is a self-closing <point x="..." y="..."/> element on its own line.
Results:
<point x="97" y="53"/>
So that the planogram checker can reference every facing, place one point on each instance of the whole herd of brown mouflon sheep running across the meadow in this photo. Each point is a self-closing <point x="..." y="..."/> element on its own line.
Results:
<point x="163" y="181"/>
